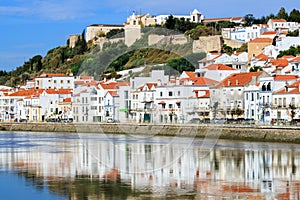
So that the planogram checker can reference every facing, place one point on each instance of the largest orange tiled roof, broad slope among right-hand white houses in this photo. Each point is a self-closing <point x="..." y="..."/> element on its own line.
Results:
<point x="240" y="79"/>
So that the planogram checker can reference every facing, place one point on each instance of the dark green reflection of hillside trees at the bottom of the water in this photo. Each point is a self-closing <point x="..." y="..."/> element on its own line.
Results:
<point x="82" y="187"/>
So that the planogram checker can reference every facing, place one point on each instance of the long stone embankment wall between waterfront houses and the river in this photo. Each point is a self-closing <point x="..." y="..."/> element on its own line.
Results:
<point x="222" y="131"/>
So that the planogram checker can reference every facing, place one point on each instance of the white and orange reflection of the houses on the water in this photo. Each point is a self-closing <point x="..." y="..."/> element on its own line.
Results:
<point x="229" y="172"/>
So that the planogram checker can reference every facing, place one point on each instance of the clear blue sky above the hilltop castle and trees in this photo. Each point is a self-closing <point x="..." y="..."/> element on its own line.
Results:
<point x="31" y="27"/>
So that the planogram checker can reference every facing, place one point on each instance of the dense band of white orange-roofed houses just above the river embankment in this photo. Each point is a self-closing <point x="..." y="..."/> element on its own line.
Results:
<point x="220" y="88"/>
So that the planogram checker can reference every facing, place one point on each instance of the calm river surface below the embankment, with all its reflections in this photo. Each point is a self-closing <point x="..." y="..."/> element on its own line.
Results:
<point x="89" y="166"/>
